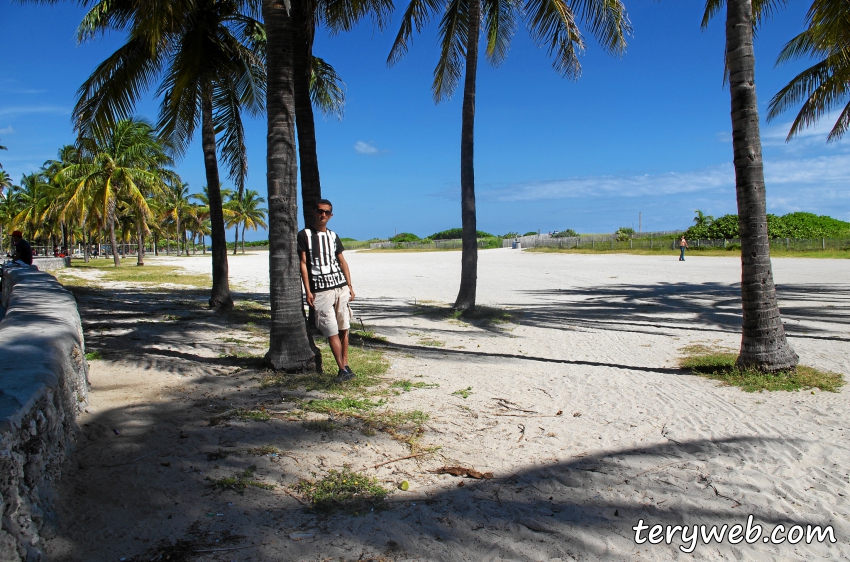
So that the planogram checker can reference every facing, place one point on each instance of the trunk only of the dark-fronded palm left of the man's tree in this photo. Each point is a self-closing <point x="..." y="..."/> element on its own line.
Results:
<point x="220" y="297"/>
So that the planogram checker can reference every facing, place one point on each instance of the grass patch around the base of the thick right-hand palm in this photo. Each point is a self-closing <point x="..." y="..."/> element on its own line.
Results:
<point x="720" y="365"/>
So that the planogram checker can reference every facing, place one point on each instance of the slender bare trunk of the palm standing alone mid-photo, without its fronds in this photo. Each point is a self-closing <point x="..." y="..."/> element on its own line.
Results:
<point x="469" y="255"/>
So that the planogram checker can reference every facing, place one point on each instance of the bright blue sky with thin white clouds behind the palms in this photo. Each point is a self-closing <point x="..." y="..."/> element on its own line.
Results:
<point x="646" y="133"/>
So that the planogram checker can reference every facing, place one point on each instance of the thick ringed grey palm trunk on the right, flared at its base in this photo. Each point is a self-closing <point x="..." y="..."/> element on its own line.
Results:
<point x="763" y="343"/>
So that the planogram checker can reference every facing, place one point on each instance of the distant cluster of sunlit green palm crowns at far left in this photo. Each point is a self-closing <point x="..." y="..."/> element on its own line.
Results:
<point x="118" y="188"/>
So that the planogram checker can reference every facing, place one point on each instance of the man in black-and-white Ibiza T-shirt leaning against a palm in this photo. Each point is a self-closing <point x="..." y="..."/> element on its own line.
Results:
<point x="327" y="284"/>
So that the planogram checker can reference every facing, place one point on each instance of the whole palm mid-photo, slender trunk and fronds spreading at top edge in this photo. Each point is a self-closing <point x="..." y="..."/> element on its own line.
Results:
<point x="551" y="23"/>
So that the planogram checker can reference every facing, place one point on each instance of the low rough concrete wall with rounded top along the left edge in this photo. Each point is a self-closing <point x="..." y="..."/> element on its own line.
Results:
<point x="43" y="386"/>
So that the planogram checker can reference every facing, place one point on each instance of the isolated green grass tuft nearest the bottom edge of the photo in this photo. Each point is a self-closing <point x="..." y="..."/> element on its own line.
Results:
<point x="343" y="490"/>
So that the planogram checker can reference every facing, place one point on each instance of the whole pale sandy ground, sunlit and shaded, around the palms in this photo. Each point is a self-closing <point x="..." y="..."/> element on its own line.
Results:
<point x="578" y="408"/>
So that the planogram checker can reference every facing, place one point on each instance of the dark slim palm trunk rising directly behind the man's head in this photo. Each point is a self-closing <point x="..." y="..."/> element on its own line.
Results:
<point x="302" y="38"/>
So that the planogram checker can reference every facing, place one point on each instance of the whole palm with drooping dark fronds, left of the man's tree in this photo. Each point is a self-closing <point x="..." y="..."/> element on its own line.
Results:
<point x="209" y="76"/>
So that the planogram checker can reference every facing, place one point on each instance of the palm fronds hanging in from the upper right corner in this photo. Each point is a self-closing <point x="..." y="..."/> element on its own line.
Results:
<point x="823" y="86"/>
